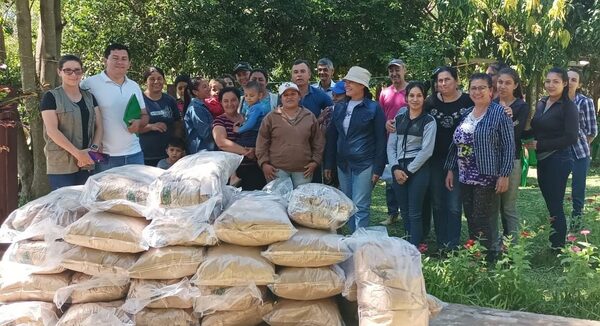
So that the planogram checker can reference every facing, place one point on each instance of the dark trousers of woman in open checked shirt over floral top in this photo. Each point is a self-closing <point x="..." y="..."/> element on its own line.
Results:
<point x="481" y="210"/>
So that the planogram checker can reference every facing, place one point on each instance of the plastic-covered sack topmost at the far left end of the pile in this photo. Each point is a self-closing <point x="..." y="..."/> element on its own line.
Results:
<point x="45" y="217"/>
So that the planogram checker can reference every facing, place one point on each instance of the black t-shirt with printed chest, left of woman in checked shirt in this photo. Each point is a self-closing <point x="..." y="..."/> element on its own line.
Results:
<point x="447" y="116"/>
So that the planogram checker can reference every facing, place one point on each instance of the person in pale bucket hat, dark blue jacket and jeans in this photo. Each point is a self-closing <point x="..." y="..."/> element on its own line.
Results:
<point x="356" y="144"/>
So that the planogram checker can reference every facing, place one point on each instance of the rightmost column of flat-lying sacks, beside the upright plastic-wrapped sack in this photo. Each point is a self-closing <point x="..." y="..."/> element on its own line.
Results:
<point x="308" y="275"/>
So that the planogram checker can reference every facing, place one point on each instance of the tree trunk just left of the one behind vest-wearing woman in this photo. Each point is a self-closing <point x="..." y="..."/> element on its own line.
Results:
<point x="28" y="84"/>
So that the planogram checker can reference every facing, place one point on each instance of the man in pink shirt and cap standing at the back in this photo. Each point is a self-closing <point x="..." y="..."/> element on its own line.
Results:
<point x="391" y="99"/>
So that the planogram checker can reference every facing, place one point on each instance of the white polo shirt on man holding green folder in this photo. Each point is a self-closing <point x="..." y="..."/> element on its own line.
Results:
<point x="112" y="100"/>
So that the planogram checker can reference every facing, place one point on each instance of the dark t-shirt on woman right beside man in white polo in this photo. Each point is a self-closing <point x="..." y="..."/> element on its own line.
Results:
<point x="165" y="110"/>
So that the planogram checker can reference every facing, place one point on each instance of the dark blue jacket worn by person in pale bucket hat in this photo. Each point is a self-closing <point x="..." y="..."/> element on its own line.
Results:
<point x="365" y="143"/>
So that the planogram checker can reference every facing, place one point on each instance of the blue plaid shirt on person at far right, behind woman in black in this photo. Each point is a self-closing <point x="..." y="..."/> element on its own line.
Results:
<point x="587" y="125"/>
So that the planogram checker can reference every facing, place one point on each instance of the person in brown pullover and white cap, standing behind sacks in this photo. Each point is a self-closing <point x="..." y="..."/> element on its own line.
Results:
<point x="290" y="143"/>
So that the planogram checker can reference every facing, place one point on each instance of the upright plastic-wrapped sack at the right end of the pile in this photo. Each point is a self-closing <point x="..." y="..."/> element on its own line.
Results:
<point x="390" y="284"/>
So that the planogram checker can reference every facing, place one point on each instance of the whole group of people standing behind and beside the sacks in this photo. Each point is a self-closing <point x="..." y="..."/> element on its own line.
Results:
<point x="444" y="153"/>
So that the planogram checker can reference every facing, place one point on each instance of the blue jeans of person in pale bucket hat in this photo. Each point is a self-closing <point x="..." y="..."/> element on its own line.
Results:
<point x="357" y="186"/>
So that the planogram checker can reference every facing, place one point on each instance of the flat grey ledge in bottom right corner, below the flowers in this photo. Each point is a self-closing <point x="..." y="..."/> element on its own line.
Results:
<point x="456" y="314"/>
